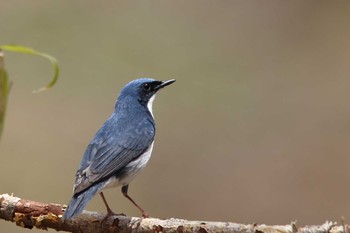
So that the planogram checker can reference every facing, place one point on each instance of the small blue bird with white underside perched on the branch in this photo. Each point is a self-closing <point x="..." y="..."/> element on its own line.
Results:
<point x="120" y="149"/>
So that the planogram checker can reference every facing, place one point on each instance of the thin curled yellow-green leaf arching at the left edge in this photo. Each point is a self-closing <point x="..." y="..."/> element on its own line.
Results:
<point x="26" y="50"/>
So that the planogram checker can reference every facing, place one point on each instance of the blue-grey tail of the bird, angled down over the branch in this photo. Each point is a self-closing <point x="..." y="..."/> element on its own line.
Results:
<point x="80" y="200"/>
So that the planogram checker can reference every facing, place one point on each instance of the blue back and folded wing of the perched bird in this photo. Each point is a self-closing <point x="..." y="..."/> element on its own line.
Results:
<point x="114" y="146"/>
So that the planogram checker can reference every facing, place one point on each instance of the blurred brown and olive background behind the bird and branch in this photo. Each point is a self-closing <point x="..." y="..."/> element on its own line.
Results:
<point x="255" y="130"/>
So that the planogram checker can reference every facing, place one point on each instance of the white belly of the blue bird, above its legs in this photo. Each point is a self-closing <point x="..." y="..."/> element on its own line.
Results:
<point x="134" y="167"/>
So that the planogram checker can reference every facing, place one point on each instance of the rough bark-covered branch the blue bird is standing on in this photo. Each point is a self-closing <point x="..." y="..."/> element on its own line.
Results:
<point x="30" y="214"/>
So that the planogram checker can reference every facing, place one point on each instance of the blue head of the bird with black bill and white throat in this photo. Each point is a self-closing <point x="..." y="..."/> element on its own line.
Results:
<point x="142" y="91"/>
